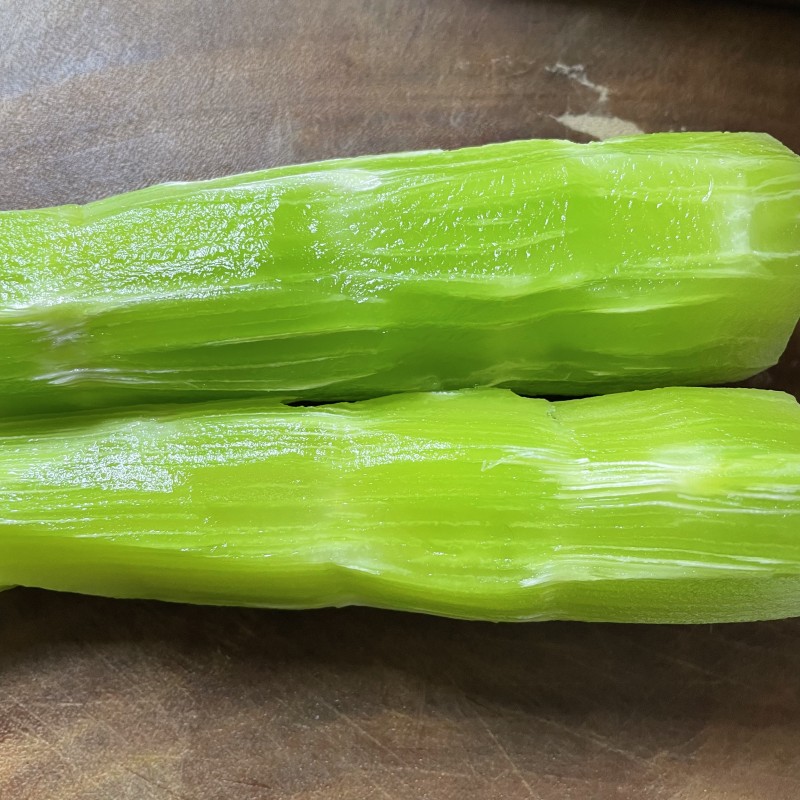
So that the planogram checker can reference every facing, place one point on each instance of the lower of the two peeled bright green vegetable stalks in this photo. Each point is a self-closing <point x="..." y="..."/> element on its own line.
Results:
<point x="671" y="505"/>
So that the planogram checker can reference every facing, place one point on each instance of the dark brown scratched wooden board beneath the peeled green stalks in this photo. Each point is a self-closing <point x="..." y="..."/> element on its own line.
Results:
<point x="114" y="700"/>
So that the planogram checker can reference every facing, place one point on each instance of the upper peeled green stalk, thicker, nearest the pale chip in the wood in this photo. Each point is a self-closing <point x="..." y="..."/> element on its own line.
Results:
<point x="542" y="266"/>
